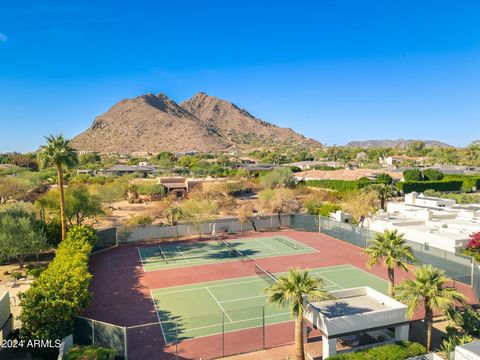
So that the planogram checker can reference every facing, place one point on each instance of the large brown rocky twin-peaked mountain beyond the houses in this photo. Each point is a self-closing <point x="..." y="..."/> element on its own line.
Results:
<point x="154" y="123"/>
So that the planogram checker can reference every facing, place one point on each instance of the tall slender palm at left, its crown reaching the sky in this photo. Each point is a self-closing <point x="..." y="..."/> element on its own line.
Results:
<point x="59" y="153"/>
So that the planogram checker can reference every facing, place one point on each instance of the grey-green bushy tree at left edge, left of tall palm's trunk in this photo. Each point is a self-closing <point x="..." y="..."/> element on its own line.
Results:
<point x="21" y="233"/>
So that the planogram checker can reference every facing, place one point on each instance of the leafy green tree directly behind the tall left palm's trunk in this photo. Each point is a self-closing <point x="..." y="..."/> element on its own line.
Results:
<point x="79" y="204"/>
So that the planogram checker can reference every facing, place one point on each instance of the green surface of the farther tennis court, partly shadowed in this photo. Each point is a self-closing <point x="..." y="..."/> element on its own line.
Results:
<point x="174" y="256"/>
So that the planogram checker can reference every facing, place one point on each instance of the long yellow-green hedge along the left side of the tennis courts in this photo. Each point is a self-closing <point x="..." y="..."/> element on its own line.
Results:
<point x="61" y="291"/>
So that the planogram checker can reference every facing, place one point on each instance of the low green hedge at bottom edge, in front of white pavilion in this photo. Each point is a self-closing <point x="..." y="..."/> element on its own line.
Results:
<point x="398" y="351"/>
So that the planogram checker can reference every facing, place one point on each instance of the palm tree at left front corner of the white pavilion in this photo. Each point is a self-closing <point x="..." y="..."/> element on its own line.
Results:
<point x="291" y="289"/>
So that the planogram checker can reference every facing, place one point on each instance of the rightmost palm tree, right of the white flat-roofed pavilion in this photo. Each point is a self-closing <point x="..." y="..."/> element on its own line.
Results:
<point x="428" y="288"/>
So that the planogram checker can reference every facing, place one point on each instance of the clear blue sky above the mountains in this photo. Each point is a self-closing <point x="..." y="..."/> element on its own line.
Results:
<point x="333" y="70"/>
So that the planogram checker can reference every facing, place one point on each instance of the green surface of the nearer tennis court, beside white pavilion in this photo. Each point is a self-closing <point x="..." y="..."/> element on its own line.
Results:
<point x="222" y="306"/>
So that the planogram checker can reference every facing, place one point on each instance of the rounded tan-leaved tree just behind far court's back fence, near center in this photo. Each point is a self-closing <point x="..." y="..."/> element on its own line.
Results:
<point x="279" y="201"/>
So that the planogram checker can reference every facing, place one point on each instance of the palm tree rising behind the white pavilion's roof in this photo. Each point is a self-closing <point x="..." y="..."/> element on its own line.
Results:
<point x="390" y="248"/>
